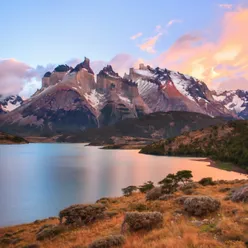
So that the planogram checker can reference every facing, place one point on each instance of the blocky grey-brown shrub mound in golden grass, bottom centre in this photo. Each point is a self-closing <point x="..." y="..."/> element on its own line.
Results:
<point x="145" y="220"/>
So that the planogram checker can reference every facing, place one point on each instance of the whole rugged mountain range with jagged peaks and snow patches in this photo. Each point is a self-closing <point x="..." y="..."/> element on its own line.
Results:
<point x="74" y="99"/>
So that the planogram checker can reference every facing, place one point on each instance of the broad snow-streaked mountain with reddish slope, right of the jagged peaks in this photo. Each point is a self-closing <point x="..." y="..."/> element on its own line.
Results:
<point x="165" y="90"/>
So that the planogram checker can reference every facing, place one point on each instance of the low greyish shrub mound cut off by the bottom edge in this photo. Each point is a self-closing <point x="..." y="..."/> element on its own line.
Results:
<point x="108" y="242"/>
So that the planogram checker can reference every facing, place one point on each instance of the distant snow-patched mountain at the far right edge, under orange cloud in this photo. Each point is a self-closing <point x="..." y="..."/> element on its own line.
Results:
<point x="234" y="100"/>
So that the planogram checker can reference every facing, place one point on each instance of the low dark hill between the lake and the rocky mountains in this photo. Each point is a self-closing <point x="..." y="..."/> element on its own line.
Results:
<point x="143" y="130"/>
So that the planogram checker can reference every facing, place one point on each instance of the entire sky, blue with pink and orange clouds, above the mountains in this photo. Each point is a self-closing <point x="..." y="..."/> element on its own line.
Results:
<point x="206" y="39"/>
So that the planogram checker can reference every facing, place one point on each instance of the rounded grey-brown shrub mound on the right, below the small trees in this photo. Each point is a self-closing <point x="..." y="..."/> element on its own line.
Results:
<point x="200" y="205"/>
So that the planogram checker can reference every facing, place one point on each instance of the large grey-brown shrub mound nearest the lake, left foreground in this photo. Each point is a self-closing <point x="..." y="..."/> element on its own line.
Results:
<point x="82" y="214"/>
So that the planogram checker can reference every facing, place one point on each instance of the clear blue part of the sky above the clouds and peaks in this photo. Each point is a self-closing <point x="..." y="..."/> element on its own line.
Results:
<point x="41" y="32"/>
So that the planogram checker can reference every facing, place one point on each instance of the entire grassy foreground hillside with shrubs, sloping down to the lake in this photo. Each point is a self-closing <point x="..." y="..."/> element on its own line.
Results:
<point x="213" y="215"/>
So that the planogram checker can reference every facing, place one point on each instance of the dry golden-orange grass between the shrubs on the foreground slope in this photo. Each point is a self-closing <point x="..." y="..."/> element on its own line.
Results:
<point x="228" y="228"/>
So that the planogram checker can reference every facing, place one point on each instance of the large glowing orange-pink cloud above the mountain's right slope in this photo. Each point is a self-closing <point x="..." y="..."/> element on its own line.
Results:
<point x="210" y="61"/>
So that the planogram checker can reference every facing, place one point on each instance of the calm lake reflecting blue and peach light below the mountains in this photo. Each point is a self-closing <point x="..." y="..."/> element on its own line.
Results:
<point x="38" y="180"/>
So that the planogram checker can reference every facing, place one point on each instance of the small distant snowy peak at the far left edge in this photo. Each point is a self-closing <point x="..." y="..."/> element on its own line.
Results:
<point x="9" y="103"/>
